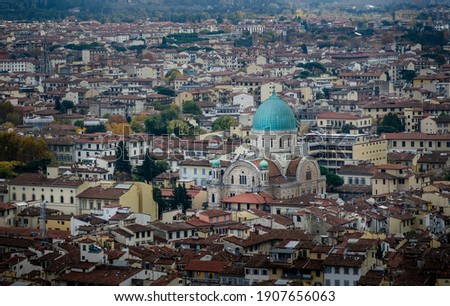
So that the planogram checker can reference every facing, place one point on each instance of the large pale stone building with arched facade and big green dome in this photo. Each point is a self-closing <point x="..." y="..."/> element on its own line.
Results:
<point x="276" y="169"/>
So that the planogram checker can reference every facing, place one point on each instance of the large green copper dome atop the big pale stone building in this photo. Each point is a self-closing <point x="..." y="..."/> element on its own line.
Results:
<point x="274" y="115"/>
